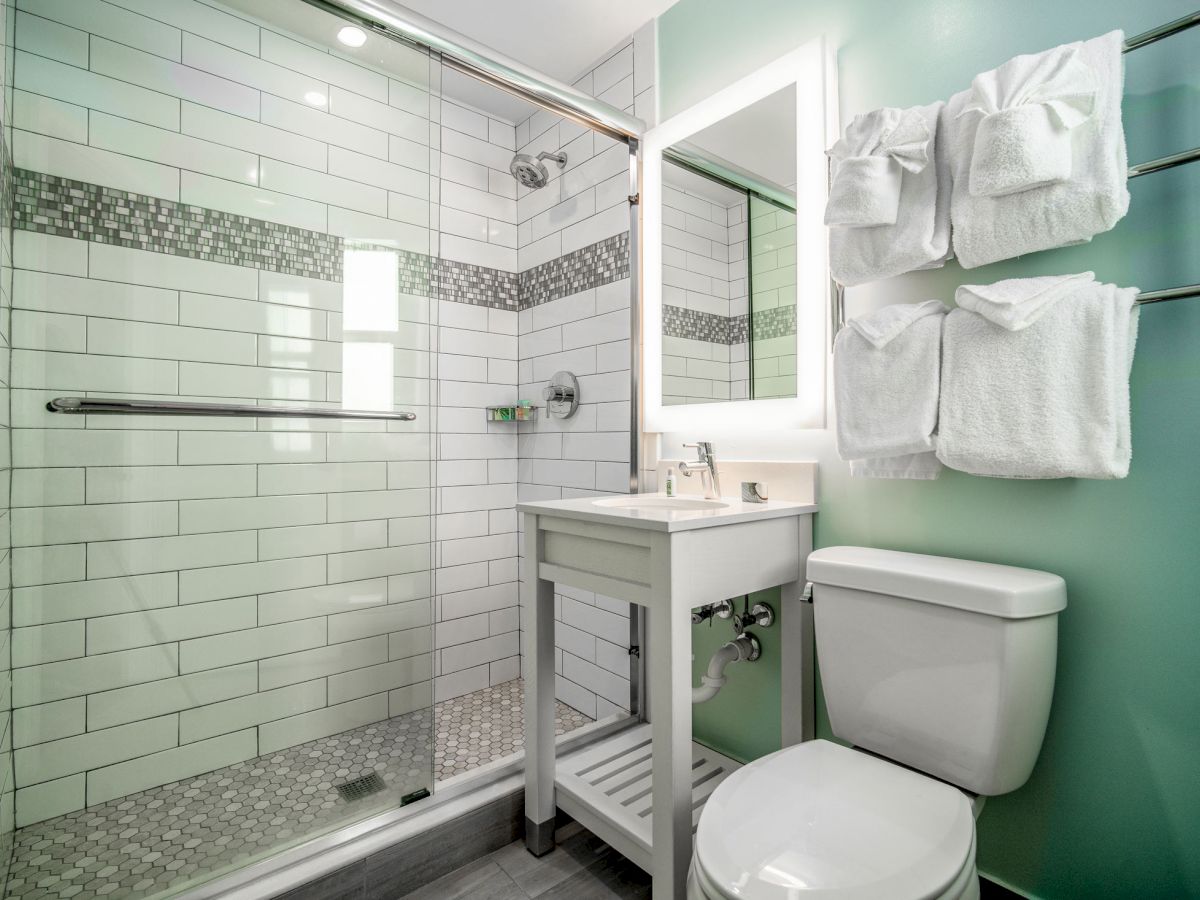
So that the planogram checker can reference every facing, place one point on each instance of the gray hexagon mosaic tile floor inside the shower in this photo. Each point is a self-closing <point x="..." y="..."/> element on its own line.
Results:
<point x="158" y="842"/>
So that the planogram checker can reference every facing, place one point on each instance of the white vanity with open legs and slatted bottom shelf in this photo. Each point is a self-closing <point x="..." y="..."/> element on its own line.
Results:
<point x="643" y="789"/>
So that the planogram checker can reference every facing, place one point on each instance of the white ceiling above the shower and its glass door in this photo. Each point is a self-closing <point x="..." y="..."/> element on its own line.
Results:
<point x="562" y="39"/>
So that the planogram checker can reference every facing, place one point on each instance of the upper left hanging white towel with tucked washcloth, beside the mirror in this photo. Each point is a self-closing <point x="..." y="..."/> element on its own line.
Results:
<point x="920" y="233"/>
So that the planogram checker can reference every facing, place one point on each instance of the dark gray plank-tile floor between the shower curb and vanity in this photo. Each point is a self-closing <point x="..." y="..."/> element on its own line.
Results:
<point x="581" y="868"/>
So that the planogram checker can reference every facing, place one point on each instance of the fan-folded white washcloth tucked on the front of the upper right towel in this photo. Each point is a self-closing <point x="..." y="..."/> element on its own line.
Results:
<point x="1028" y="110"/>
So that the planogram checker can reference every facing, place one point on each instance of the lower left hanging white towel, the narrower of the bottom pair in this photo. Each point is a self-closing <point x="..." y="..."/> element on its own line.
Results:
<point x="886" y="386"/>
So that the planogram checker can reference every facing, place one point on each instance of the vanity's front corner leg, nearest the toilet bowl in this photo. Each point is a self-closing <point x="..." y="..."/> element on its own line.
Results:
<point x="670" y="667"/>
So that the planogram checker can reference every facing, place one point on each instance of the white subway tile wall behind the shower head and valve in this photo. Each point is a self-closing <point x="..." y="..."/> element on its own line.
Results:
<point x="585" y="332"/>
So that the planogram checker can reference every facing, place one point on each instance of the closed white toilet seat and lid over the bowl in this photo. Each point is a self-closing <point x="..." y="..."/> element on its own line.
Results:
<point x="821" y="821"/>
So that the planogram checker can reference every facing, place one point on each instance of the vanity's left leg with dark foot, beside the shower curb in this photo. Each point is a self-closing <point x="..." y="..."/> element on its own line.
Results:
<point x="538" y="604"/>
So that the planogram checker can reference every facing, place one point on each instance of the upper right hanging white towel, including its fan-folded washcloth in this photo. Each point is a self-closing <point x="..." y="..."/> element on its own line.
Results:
<point x="1091" y="200"/>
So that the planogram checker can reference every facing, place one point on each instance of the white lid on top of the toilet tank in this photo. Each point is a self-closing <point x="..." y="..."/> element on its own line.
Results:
<point x="1003" y="591"/>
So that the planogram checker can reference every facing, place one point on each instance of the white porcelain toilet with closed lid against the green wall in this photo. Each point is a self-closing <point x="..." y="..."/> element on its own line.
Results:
<point x="940" y="674"/>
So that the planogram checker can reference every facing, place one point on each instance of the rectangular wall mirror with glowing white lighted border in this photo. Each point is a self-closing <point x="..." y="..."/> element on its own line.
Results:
<point x="737" y="284"/>
